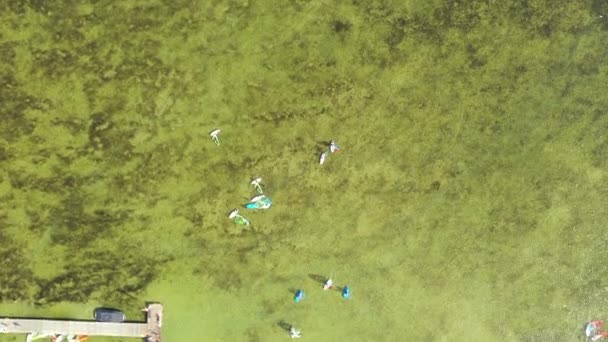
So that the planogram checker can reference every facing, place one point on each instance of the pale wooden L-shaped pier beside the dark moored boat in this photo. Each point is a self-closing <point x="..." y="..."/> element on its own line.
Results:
<point x="150" y="330"/>
